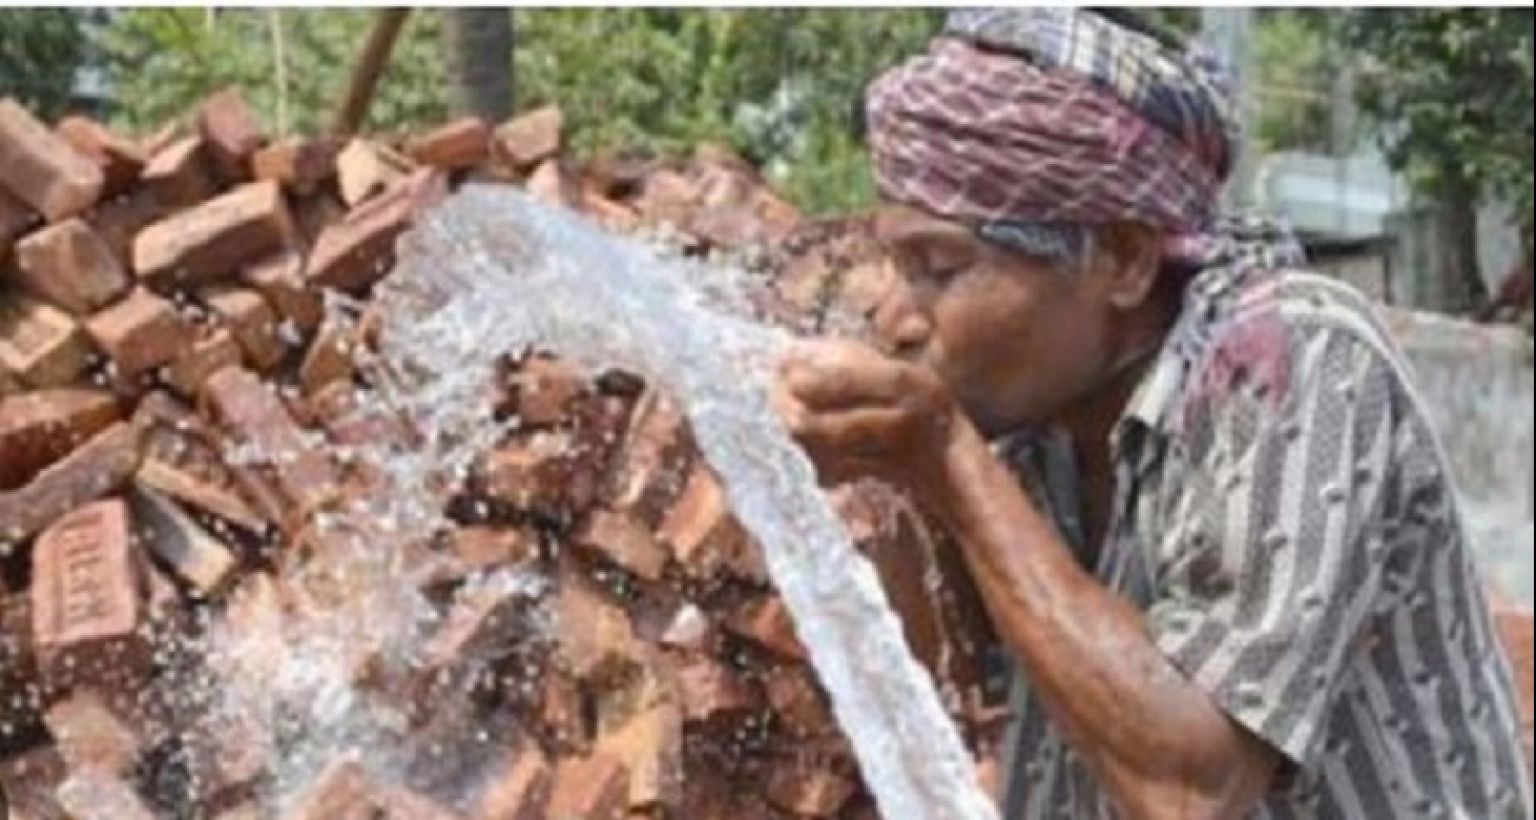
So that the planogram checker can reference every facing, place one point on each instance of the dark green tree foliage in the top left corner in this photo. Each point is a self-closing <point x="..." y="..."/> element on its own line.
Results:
<point x="39" y="55"/>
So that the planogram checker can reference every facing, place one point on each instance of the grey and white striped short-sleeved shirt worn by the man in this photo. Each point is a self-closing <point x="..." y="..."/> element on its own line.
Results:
<point x="1285" y="518"/>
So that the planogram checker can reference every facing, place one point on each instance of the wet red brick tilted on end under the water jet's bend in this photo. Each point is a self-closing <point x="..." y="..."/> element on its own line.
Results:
<point x="652" y="465"/>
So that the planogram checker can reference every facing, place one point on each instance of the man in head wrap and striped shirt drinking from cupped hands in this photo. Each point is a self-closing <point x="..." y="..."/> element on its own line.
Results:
<point x="1196" y="489"/>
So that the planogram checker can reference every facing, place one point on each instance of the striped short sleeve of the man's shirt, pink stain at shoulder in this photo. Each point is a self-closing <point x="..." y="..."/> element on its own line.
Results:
<point x="1268" y="563"/>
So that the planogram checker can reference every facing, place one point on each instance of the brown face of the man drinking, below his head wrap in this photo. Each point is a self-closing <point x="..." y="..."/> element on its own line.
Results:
<point x="1018" y="340"/>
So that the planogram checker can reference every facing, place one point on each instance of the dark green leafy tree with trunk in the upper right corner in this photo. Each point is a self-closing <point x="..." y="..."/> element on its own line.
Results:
<point x="1454" y="93"/>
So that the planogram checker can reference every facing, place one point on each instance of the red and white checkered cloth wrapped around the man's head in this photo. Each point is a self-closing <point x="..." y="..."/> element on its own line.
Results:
<point x="1038" y="125"/>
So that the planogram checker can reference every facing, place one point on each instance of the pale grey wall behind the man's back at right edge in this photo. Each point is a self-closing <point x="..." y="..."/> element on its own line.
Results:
<point x="1478" y="385"/>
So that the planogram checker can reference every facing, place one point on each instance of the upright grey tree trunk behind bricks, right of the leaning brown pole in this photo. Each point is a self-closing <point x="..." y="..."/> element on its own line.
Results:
<point x="478" y="45"/>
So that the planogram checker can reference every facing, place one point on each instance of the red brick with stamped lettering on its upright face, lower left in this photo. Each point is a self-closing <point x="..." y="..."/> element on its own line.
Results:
<point x="88" y="600"/>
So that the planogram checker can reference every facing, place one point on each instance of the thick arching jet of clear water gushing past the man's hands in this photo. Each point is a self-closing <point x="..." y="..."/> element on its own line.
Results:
<point x="491" y="273"/>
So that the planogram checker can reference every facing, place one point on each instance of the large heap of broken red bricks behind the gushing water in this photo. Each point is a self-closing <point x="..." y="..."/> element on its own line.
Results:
<point x="176" y="400"/>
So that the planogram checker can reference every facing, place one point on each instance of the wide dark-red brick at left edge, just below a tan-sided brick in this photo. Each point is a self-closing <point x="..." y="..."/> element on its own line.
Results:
<point x="42" y="428"/>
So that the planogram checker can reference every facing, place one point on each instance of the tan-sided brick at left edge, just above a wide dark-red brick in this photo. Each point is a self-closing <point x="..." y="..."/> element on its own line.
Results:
<point x="41" y="346"/>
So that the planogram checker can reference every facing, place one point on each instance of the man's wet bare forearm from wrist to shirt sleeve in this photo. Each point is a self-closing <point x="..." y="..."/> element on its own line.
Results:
<point x="1154" y="739"/>
